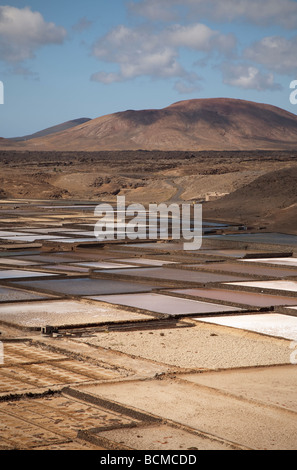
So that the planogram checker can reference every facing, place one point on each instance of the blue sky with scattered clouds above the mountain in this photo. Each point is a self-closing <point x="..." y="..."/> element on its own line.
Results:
<point x="63" y="59"/>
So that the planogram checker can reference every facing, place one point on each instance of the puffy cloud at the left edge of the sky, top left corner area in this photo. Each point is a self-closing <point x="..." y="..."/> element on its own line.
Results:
<point x="22" y="31"/>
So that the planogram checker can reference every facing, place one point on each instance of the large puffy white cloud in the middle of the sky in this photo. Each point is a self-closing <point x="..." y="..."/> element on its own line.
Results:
<point x="142" y="52"/>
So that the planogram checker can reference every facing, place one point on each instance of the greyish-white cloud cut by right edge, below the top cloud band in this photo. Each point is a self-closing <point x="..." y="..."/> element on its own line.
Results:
<point x="276" y="53"/>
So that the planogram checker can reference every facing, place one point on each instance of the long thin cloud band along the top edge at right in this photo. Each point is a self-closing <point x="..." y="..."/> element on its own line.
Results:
<point x="260" y="12"/>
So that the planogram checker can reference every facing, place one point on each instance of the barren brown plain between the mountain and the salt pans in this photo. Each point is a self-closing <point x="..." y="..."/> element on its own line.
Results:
<point x="255" y="187"/>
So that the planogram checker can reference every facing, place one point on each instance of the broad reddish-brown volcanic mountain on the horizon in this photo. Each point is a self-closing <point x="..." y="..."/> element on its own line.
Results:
<point x="204" y="124"/>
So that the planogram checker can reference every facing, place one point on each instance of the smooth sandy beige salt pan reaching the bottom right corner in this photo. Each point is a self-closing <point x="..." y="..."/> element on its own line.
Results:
<point x="184" y="402"/>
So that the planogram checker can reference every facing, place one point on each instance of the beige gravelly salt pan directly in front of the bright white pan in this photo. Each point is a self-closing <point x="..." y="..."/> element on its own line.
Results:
<point x="202" y="346"/>
